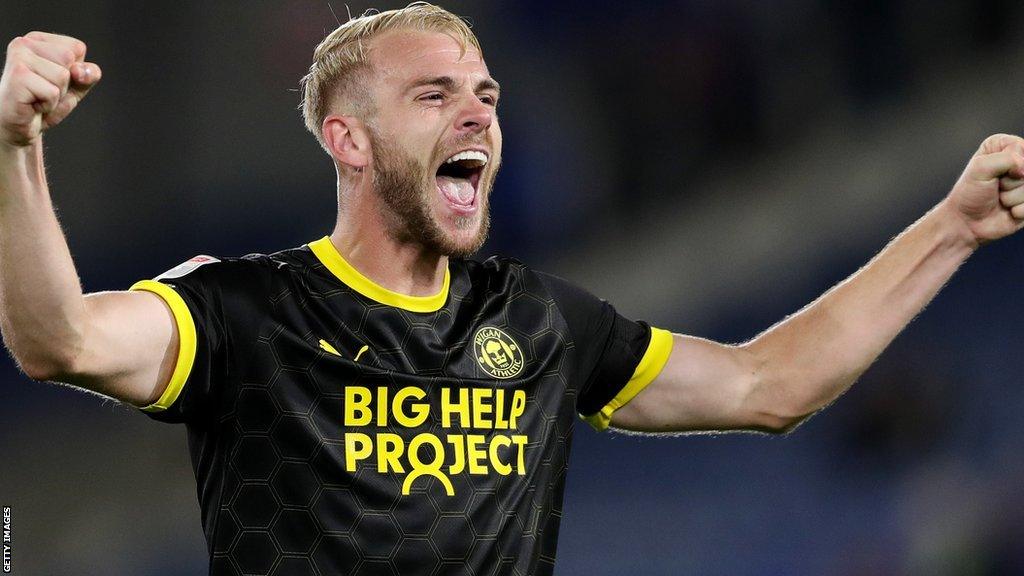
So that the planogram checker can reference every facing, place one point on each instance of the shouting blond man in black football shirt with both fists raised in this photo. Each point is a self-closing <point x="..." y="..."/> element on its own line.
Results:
<point x="374" y="402"/>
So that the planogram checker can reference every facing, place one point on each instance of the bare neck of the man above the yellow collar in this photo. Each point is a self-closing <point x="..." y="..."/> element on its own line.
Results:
<point x="361" y="238"/>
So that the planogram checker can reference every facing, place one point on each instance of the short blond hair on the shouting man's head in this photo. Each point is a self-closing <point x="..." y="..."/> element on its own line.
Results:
<point x="343" y="57"/>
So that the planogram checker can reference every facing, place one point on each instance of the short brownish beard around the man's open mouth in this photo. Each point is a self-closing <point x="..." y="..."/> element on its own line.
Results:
<point x="407" y="190"/>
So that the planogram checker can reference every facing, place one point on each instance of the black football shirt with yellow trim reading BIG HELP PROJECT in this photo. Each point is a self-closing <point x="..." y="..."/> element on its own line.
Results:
<point x="337" y="428"/>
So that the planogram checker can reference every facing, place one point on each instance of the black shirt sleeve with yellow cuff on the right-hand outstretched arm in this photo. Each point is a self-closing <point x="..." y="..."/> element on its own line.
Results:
<point x="618" y="357"/>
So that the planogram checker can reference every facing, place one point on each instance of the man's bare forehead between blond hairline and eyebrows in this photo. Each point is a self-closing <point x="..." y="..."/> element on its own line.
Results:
<point x="401" y="56"/>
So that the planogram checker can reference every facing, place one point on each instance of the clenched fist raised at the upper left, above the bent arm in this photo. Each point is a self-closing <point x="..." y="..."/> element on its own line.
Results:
<point x="45" y="78"/>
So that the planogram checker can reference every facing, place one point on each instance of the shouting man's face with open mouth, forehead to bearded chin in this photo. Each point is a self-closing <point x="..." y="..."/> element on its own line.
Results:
<point x="436" y="143"/>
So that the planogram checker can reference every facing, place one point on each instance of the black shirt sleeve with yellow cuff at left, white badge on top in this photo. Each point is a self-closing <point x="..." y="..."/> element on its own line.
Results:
<point x="191" y="292"/>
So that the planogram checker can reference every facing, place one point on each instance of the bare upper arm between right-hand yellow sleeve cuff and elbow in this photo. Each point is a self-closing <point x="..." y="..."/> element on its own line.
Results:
<point x="705" y="386"/>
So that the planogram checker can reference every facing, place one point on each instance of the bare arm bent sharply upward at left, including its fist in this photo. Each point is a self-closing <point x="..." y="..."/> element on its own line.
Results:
<point x="122" y="345"/>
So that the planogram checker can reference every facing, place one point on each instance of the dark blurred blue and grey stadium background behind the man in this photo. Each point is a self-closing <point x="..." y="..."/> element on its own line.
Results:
<point x="707" y="167"/>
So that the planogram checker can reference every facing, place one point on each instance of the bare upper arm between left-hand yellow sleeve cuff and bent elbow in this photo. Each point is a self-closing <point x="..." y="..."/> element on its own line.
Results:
<point x="131" y="347"/>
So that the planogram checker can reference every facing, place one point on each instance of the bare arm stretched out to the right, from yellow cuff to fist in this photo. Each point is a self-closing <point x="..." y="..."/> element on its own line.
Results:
<point x="797" y="367"/>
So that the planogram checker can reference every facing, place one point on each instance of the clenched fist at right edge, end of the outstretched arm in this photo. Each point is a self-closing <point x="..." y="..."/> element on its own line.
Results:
<point x="990" y="195"/>
